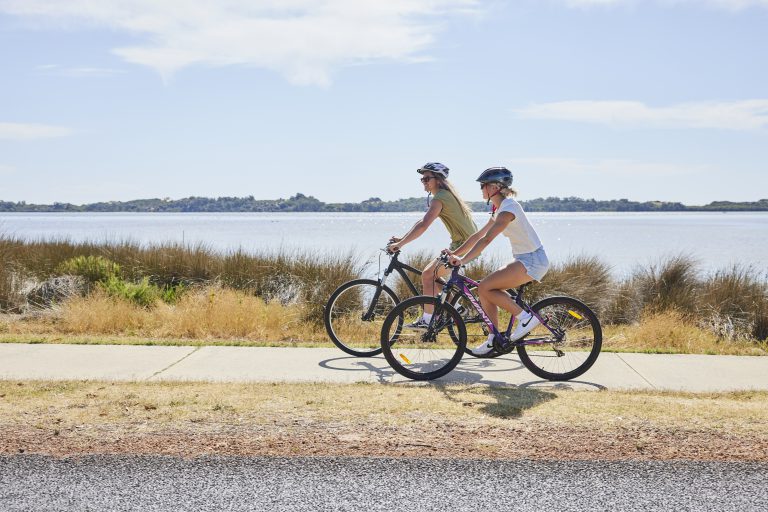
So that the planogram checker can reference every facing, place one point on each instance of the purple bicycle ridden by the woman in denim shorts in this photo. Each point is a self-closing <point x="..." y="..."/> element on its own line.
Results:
<point x="565" y="344"/>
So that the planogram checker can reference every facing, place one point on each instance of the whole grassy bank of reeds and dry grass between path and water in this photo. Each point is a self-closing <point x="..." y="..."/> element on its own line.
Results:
<point x="78" y="291"/>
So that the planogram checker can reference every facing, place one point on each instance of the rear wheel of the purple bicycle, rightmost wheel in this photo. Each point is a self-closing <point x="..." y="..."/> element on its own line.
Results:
<point x="574" y="347"/>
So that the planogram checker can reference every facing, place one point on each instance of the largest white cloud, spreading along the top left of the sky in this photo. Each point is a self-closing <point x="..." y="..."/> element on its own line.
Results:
<point x="304" y="40"/>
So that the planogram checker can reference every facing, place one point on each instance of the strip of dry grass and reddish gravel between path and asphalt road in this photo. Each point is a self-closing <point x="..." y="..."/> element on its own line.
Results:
<point x="375" y="420"/>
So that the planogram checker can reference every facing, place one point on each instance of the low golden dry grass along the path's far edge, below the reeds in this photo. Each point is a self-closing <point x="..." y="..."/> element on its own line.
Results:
<point x="217" y="315"/>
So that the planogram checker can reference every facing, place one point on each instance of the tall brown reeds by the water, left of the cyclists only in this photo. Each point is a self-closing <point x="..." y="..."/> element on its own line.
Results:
<point x="286" y="276"/>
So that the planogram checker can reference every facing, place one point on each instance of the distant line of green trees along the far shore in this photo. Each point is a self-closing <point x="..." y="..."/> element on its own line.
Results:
<point x="302" y="203"/>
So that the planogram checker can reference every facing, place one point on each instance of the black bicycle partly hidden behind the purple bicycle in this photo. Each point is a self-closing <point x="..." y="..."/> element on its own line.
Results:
<point x="355" y="312"/>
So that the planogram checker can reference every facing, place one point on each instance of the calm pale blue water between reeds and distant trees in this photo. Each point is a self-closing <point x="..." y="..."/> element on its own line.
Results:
<point x="623" y="240"/>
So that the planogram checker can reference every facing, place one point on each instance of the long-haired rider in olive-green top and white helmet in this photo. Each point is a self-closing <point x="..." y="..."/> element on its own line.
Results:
<point x="456" y="216"/>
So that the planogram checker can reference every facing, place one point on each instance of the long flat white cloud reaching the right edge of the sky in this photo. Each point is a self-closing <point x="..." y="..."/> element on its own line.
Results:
<point x="738" y="115"/>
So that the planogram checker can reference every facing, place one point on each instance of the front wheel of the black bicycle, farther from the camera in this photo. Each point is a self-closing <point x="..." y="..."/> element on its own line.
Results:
<point x="353" y="321"/>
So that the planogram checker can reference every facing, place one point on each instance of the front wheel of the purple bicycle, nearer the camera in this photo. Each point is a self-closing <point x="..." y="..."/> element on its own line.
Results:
<point x="423" y="354"/>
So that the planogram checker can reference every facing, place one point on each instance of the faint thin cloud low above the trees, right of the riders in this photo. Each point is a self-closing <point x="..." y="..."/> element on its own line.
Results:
<point x="616" y="166"/>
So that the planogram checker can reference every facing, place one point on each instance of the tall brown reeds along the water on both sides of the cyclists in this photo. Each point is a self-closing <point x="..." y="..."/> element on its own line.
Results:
<point x="731" y="303"/>
